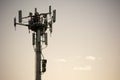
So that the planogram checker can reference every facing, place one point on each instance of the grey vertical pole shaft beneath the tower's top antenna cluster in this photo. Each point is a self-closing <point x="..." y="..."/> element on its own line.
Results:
<point x="38" y="55"/>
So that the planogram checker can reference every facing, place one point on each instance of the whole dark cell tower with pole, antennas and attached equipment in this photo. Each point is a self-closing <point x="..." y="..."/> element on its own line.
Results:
<point x="38" y="23"/>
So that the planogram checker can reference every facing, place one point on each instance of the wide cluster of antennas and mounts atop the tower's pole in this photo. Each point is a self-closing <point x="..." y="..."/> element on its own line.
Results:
<point x="42" y="21"/>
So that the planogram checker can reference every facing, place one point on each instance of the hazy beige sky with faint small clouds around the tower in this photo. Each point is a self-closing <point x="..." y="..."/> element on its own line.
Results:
<point x="85" y="44"/>
